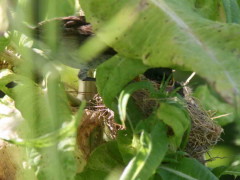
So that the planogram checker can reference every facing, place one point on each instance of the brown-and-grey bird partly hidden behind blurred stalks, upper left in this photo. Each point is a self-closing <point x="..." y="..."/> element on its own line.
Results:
<point x="74" y="31"/>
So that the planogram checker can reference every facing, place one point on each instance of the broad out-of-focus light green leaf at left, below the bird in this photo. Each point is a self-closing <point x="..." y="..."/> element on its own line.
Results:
<point x="43" y="112"/>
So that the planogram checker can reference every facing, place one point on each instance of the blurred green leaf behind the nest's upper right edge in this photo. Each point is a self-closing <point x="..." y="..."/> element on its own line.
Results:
<point x="212" y="103"/>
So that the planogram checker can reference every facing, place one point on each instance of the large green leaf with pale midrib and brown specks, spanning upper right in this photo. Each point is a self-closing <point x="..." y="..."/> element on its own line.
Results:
<point x="169" y="33"/>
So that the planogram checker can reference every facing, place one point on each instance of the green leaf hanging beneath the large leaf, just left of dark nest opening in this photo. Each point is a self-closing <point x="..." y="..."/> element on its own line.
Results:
<point x="116" y="73"/>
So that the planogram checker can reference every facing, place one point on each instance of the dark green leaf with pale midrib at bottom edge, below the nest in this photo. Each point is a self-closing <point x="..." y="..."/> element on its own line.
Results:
<point x="186" y="169"/>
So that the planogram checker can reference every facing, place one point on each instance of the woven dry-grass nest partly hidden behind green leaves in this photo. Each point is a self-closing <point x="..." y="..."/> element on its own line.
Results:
<point x="204" y="133"/>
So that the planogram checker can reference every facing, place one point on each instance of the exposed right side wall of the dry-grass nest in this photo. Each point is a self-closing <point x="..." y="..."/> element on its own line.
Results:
<point x="205" y="133"/>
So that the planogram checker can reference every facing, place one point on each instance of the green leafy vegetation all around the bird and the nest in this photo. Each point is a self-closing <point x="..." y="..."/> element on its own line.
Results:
<point x="39" y="122"/>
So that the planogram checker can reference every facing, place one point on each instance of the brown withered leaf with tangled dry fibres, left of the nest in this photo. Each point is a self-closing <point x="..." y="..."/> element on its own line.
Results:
<point x="97" y="126"/>
